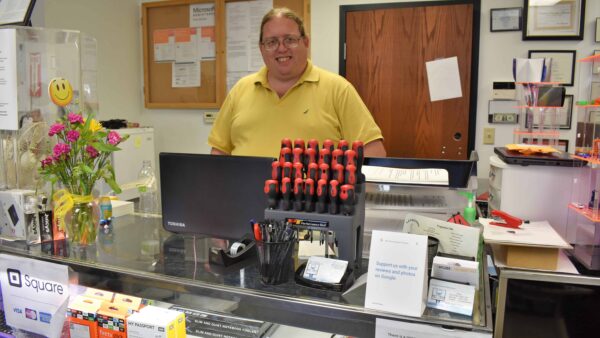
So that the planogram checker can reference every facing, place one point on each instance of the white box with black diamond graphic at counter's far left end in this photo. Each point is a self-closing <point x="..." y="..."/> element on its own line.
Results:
<point x="12" y="216"/>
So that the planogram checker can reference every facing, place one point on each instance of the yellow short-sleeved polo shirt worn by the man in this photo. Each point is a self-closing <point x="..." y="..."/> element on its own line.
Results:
<point x="321" y="105"/>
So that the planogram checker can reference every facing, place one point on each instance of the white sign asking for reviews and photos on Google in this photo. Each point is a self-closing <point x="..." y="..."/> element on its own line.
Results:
<point x="397" y="275"/>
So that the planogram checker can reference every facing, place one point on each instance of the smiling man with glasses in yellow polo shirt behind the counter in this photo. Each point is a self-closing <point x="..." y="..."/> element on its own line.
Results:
<point x="290" y="98"/>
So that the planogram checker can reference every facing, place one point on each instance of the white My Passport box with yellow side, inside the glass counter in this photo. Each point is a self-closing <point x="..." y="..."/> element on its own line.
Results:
<point x="151" y="324"/>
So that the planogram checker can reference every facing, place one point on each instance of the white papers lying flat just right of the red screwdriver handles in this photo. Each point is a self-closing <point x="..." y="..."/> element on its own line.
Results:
<point x="431" y="176"/>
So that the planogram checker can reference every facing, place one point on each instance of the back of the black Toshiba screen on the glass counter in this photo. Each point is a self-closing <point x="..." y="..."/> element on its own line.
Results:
<point x="212" y="195"/>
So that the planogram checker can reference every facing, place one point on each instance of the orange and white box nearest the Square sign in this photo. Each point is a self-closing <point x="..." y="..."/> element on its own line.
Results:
<point x="82" y="317"/>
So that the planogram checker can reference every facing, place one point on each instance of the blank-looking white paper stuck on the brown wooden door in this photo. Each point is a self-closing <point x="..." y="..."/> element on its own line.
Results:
<point x="444" y="79"/>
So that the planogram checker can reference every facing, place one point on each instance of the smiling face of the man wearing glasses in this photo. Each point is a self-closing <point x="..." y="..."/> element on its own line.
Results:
<point x="284" y="63"/>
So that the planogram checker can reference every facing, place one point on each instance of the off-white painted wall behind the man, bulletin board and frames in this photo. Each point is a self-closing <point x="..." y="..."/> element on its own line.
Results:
<point x="116" y="26"/>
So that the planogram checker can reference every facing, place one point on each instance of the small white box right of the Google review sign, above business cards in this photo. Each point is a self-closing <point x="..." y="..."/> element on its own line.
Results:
<point x="456" y="270"/>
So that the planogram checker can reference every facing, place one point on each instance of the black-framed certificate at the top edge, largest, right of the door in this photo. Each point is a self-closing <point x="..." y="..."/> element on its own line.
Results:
<point x="556" y="20"/>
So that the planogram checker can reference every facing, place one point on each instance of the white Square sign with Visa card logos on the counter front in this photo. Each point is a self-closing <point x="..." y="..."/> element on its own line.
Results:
<point x="35" y="294"/>
